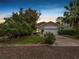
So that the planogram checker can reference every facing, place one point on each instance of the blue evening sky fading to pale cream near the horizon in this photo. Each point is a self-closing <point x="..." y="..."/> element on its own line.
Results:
<point x="50" y="9"/>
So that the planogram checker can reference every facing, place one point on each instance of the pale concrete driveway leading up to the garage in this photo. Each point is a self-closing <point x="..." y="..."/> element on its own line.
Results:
<point x="65" y="41"/>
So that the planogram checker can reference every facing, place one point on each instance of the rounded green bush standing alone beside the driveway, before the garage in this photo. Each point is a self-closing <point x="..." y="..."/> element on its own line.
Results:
<point x="49" y="38"/>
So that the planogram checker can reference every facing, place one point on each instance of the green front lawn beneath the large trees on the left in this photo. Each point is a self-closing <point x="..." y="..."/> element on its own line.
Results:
<point x="26" y="40"/>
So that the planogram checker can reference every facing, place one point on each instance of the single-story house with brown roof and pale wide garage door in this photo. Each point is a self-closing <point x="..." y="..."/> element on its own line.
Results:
<point x="51" y="27"/>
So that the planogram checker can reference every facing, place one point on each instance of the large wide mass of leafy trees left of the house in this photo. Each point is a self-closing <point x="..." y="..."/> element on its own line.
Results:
<point x="21" y="23"/>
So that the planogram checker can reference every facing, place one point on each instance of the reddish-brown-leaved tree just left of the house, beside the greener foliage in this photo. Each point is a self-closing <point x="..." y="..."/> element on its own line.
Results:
<point x="32" y="17"/>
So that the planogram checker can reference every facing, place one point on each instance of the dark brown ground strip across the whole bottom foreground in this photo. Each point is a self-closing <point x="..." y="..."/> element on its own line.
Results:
<point x="39" y="52"/>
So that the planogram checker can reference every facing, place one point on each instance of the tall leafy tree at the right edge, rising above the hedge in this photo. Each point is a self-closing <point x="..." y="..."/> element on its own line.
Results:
<point x="71" y="15"/>
